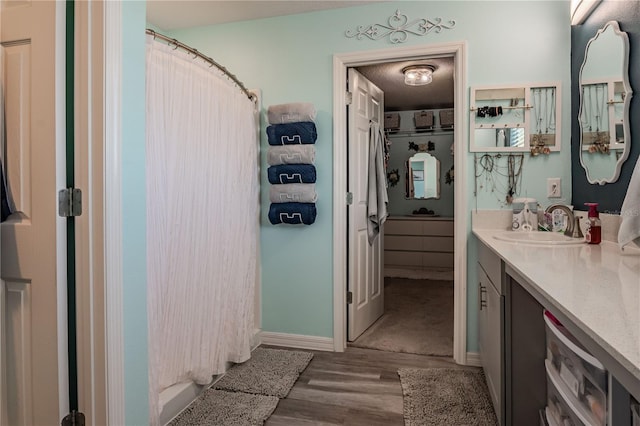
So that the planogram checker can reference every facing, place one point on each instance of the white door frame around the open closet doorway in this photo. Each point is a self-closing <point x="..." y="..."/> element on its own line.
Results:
<point x="340" y="64"/>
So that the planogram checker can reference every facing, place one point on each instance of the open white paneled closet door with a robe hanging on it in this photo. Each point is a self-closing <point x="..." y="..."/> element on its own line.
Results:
<point x="365" y="280"/>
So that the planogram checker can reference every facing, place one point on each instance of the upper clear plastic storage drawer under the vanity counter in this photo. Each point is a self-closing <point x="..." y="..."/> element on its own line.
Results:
<point x="579" y="374"/>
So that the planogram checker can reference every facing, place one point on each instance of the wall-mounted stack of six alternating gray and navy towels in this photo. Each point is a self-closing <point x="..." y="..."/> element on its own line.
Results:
<point x="291" y="135"/>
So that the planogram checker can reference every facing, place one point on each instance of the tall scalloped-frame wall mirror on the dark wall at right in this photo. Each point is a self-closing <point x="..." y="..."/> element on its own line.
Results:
<point x="605" y="95"/>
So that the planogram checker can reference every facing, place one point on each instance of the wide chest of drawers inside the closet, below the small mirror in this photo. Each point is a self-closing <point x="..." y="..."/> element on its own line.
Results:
<point x="418" y="243"/>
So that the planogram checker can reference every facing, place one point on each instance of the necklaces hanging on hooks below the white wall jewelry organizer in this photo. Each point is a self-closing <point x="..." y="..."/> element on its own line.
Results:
<point x="490" y="175"/>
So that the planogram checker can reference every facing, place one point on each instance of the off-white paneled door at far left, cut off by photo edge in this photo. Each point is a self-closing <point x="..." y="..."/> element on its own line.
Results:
<point x="28" y="264"/>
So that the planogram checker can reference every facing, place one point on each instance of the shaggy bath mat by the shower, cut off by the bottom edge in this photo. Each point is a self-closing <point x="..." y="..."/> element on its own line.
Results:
<point x="218" y="407"/>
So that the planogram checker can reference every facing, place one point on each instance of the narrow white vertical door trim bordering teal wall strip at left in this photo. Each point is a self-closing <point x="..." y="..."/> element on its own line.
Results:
<point x="113" y="213"/>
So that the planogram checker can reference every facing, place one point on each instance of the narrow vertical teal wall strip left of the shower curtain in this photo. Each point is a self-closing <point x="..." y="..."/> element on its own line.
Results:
<point x="134" y="252"/>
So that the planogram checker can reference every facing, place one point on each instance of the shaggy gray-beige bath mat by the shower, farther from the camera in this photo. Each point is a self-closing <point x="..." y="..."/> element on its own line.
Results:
<point x="268" y="372"/>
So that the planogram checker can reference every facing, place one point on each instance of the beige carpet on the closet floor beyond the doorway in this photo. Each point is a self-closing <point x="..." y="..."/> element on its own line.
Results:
<point x="418" y="319"/>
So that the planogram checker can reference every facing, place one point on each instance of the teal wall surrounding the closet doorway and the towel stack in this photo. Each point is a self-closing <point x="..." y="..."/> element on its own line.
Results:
<point x="290" y="59"/>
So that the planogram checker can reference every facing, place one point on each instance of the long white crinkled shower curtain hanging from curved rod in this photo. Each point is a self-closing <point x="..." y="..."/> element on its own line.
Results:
<point x="202" y="220"/>
